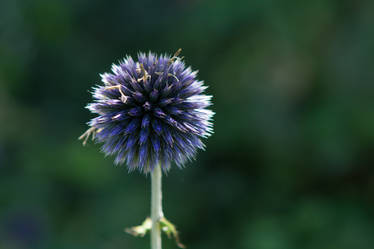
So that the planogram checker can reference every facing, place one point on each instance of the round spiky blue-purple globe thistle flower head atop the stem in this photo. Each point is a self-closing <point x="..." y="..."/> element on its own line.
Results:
<point x="151" y="111"/>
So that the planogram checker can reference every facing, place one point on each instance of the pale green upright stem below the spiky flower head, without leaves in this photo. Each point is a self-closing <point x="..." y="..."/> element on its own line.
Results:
<point x="156" y="207"/>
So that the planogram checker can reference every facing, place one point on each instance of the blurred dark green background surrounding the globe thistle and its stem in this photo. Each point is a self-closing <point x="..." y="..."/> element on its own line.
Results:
<point x="289" y="165"/>
